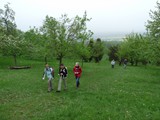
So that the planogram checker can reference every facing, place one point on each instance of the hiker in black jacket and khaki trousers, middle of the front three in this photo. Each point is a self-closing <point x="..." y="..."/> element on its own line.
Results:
<point x="63" y="75"/>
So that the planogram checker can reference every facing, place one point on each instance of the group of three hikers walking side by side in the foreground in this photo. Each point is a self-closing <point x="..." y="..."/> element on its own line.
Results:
<point x="49" y="72"/>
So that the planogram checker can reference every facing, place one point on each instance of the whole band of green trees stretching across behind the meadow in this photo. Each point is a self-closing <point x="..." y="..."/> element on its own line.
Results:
<point x="69" y="37"/>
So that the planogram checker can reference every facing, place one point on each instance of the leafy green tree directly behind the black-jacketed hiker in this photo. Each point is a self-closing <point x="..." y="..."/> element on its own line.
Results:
<point x="56" y="32"/>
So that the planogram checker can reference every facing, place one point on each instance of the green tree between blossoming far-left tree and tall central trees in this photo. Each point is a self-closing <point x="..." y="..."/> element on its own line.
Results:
<point x="37" y="43"/>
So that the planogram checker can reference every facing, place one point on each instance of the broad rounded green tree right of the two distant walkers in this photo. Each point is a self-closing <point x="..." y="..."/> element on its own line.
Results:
<point x="134" y="48"/>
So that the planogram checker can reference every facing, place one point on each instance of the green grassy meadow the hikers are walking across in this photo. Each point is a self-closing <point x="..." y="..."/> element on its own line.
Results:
<point x="104" y="94"/>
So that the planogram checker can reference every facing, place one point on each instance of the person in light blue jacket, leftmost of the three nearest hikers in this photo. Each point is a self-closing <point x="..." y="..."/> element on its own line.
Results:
<point x="49" y="72"/>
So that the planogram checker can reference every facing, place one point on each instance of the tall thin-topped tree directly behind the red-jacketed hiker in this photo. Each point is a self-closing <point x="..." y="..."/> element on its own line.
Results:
<point x="80" y="35"/>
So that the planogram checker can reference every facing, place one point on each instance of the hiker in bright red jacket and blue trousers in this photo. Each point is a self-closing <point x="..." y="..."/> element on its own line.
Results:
<point x="77" y="72"/>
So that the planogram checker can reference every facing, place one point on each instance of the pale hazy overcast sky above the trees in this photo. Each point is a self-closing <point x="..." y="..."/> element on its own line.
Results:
<point x="107" y="15"/>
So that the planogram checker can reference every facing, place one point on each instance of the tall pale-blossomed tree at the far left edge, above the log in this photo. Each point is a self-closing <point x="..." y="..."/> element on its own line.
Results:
<point x="12" y="42"/>
